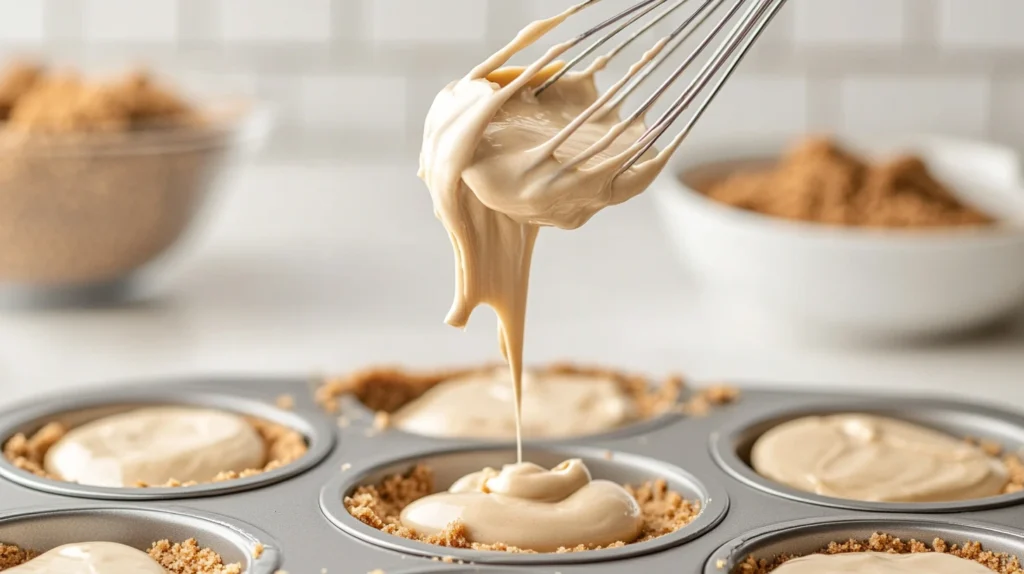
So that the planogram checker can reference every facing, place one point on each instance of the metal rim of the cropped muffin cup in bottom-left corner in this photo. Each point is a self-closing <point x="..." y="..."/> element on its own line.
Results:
<point x="241" y="533"/>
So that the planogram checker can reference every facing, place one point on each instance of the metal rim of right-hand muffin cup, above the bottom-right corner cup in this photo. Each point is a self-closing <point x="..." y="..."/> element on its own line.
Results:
<point x="722" y="443"/>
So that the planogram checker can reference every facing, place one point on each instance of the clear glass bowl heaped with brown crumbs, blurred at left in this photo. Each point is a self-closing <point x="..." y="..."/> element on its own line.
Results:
<point x="102" y="176"/>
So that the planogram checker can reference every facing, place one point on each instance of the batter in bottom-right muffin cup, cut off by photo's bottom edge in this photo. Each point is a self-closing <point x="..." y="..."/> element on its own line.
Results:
<point x="882" y="563"/>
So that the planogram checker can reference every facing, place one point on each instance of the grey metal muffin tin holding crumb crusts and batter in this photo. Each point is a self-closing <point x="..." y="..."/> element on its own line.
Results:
<point x="296" y="512"/>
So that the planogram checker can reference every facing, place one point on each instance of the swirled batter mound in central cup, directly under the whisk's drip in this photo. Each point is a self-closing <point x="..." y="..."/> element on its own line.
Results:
<point x="532" y="508"/>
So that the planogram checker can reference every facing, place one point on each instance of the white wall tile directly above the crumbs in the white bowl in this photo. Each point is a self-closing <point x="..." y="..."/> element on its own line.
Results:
<point x="886" y="105"/>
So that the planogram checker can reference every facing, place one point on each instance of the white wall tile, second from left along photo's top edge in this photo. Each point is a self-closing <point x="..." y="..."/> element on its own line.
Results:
<point x="131" y="21"/>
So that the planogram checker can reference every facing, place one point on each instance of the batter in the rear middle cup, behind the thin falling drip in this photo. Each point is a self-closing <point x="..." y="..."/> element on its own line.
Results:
<point x="483" y="405"/>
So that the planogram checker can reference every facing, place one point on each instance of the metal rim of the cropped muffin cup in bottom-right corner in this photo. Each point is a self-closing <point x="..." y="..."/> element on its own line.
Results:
<point x="729" y="551"/>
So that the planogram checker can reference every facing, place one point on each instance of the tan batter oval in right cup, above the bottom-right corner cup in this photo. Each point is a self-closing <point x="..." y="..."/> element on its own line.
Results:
<point x="869" y="458"/>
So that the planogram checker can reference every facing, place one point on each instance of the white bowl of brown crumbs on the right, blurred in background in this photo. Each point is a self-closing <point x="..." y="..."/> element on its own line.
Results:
<point x="898" y="238"/>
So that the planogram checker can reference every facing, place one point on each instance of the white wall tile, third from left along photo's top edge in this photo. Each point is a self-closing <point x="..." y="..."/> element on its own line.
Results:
<point x="276" y="21"/>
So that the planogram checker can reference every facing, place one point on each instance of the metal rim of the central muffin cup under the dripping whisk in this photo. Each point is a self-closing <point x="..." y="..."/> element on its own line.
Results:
<point x="715" y="506"/>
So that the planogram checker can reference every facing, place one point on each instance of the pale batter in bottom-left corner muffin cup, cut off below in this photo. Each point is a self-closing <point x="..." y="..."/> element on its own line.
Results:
<point x="91" y="558"/>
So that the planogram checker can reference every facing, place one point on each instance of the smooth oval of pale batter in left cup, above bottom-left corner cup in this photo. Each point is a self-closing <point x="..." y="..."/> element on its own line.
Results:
<point x="154" y="446"/>
